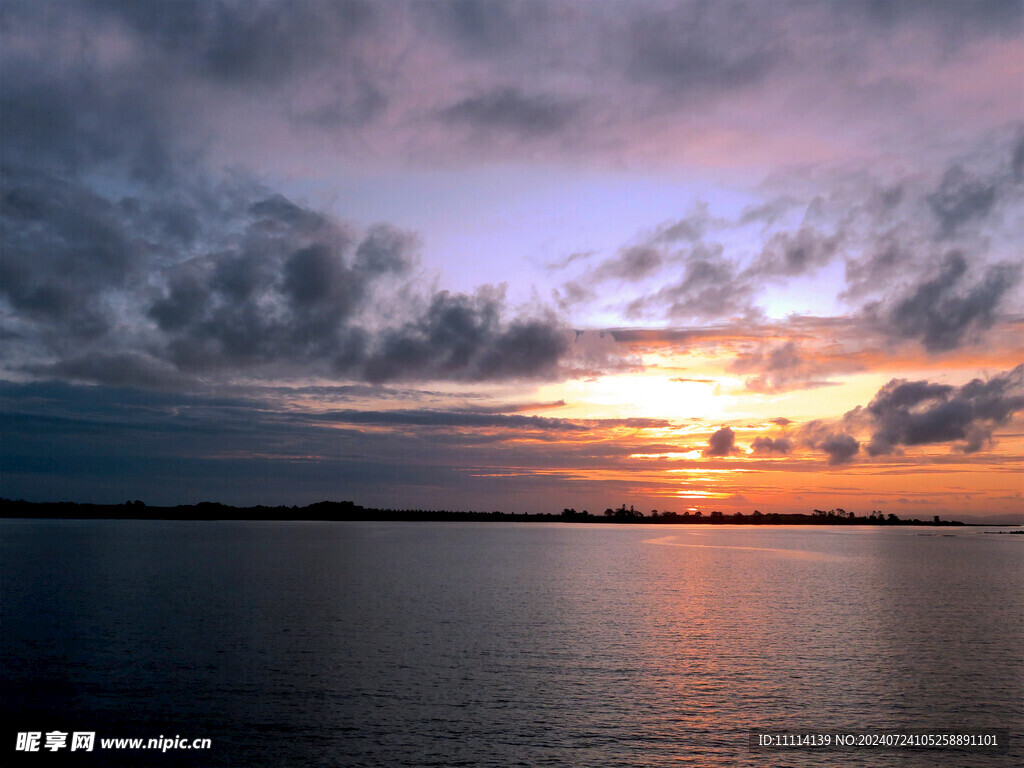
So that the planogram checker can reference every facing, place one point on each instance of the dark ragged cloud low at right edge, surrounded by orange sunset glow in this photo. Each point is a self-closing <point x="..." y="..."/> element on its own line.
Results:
<point x="919" y="413"/>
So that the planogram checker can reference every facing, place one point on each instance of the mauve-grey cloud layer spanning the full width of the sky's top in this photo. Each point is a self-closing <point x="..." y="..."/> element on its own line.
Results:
<point x="152" y="83"/>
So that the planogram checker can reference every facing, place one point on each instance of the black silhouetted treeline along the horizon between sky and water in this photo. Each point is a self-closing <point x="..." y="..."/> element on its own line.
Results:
<point x="137" y="510"/>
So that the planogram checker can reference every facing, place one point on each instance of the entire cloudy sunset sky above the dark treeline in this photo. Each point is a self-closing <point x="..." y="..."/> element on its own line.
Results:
<point x="518" y="257"/>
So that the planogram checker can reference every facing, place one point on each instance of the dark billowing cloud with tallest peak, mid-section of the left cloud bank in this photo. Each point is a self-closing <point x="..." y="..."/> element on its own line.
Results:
<point x="287" y="292"/>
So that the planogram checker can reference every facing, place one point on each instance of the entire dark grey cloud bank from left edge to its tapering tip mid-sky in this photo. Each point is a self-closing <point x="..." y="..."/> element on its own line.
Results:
<point x="235" y="278"/>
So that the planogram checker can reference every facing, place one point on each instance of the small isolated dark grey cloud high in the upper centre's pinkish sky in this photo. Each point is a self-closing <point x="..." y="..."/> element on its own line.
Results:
<point x="511" y="110"/>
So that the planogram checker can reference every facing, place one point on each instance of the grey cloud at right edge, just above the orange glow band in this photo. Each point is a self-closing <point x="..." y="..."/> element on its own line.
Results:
<point x="950" y="309"/>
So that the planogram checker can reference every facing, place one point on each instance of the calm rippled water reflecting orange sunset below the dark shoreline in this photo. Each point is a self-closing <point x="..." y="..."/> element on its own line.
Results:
<point x="503" y="645"/>
